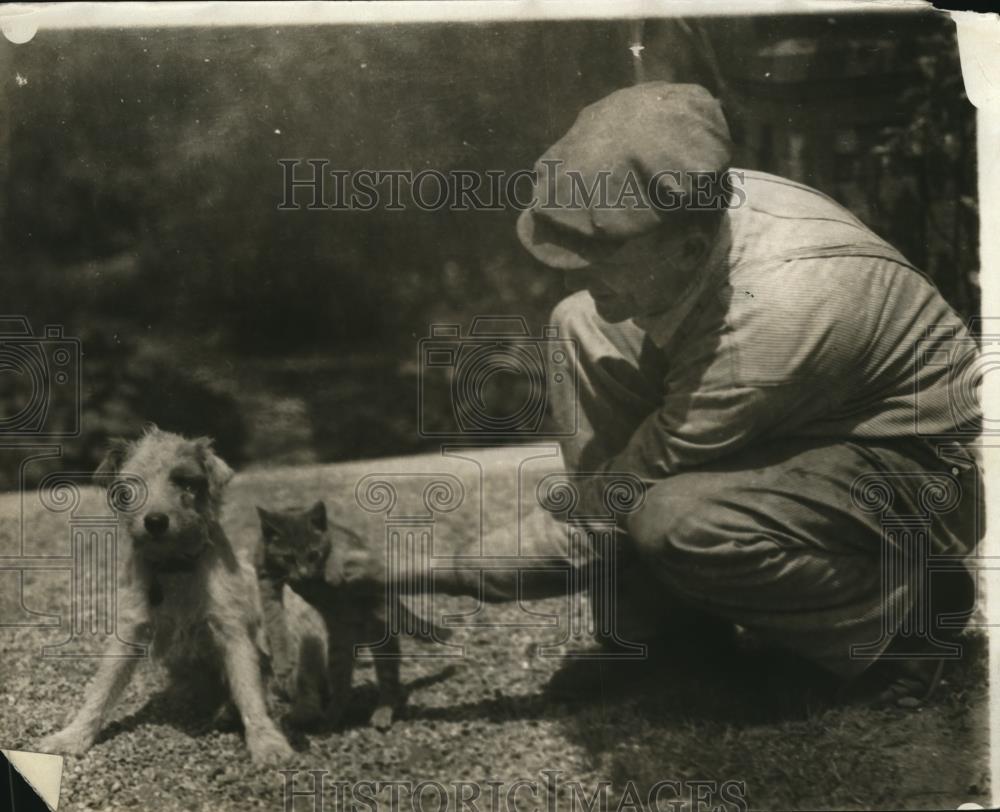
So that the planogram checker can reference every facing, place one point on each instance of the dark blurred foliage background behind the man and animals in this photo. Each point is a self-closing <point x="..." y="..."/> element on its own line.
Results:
<point x="139" y="184"/>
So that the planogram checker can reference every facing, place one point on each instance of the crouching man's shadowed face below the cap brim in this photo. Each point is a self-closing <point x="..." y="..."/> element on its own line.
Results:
<point x="644" y="277"/>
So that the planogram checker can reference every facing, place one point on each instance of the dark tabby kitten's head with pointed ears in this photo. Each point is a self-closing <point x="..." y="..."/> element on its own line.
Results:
<point x="295" y="544"/>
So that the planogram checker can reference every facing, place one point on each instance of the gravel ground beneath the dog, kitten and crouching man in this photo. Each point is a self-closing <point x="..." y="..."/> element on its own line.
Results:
<point x="760" y="720"/>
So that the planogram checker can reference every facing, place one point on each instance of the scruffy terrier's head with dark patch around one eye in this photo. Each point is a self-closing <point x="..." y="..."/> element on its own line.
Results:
<point x="183" y="481"/>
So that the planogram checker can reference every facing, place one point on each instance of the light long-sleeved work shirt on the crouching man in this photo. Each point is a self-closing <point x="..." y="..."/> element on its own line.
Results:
<point x="811" y="325"/>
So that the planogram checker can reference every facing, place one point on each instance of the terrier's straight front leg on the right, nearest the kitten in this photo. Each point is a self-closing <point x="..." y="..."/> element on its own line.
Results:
<point x="266" y="743"/>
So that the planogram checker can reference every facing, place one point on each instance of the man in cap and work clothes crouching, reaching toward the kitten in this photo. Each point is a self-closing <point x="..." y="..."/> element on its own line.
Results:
<point x="788" y="388"/>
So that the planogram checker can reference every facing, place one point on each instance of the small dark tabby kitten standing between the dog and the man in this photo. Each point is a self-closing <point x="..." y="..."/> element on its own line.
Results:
<point x="295" y="549"/>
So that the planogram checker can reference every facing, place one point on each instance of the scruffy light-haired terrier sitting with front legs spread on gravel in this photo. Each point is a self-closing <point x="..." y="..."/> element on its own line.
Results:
<point x="183" y="591"/>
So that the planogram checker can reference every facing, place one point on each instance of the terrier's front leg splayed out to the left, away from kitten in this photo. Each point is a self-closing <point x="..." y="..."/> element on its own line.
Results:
<point x="112" y="676"/>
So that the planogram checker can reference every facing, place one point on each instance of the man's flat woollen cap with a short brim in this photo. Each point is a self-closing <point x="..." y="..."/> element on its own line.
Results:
<point x="636" y="155"/>
